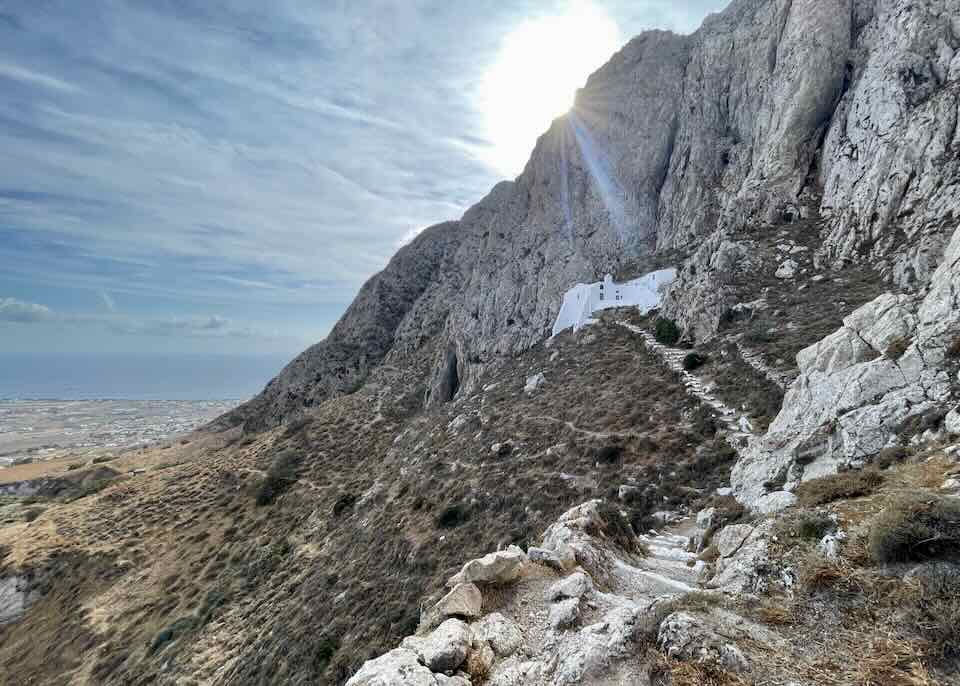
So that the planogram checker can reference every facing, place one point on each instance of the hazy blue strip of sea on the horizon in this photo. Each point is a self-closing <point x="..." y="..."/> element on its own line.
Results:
<point x="96" y="376"/>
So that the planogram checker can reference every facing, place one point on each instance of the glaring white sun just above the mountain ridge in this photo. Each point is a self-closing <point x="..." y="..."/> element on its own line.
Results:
<point x="541" y="64"/>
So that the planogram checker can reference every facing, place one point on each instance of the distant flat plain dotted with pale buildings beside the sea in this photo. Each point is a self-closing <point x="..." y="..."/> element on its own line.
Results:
<point x="39" y="430"/>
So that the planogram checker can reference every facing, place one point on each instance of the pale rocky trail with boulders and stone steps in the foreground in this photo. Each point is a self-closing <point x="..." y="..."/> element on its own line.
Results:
<point x="565" y="613"/>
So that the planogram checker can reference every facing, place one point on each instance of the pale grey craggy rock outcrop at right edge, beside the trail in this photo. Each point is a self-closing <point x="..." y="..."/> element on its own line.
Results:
<point x="889" y="362"/>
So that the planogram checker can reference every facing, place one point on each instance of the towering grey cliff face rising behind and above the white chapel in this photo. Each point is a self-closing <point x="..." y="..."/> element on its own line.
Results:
<point x="750" y="121"/>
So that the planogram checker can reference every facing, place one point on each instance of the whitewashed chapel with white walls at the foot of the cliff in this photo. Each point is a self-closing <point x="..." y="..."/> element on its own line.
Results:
<point x="581" y="301"/>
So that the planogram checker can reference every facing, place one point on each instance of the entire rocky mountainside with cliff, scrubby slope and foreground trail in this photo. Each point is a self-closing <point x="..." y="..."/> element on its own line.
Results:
<point x="757" y="481"/>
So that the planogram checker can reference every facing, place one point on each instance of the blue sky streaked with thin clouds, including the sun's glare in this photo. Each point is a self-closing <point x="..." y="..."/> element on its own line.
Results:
<point x="197" y="176"/>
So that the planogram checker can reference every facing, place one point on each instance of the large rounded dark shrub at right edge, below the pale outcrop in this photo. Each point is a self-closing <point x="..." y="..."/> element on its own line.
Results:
<point x="916" y="527"/>
